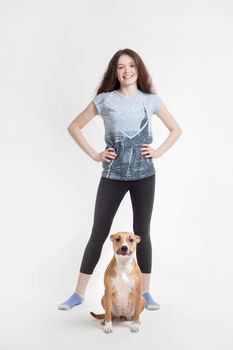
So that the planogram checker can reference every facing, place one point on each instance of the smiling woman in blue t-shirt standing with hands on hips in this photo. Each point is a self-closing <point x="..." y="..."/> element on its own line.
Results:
<point x="126" y="101"/>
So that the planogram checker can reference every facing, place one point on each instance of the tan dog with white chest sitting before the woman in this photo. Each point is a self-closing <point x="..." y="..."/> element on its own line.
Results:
<point x="123" y="284"/>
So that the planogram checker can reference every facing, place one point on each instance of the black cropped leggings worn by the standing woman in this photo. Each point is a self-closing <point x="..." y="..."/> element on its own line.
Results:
<point x="109" y="196"/>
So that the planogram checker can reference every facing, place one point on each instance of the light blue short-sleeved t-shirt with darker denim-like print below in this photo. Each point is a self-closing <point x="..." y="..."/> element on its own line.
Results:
<point x="127" y="124"/>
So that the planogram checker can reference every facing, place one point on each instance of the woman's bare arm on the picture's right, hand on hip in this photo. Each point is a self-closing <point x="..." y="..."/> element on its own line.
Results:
<point x="175" y="132"/>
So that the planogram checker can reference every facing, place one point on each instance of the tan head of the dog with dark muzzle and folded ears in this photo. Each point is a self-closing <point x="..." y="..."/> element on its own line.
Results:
<point x="124" y="243"/>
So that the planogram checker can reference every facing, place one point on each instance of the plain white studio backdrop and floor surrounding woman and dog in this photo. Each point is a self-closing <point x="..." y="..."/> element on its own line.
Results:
<point x="53" y="56"/>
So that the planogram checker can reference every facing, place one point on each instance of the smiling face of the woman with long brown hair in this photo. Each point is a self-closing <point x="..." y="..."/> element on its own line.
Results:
<point x="127" y="72"/>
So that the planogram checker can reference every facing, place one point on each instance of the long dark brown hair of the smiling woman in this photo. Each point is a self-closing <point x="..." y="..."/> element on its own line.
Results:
<point x="110" y="81"/>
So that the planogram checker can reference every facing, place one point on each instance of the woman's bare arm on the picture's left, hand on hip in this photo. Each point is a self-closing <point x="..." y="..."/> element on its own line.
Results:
<point x="75" y="131"/>
